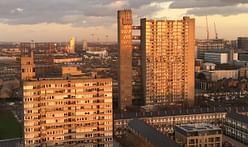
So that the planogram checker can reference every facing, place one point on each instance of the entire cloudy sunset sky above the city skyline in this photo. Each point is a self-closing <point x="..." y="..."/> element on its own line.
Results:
<point x="58" y="20"/>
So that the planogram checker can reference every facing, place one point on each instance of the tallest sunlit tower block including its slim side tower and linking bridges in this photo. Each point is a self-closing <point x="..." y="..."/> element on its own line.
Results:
<point x="167" y="60"/>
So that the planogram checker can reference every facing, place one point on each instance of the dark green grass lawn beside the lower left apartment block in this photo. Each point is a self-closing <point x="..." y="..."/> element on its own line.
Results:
<point x="9" y="126"/>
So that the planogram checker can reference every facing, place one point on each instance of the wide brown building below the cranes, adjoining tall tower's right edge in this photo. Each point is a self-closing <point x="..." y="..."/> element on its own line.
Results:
<point x="206" y="45"/>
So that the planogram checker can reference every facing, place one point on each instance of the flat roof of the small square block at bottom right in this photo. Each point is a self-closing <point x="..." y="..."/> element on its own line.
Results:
<point x="197" y="127"/>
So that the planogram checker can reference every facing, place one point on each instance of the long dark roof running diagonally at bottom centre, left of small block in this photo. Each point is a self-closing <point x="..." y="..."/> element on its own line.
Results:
<point x="156" y="138"/>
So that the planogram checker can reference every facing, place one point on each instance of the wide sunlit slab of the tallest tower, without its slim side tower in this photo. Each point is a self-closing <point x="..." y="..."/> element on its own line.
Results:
<point x="168" y="61"/>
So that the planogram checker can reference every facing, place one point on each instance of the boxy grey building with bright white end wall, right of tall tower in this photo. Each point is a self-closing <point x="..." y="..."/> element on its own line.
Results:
<point x="219" y="58"/>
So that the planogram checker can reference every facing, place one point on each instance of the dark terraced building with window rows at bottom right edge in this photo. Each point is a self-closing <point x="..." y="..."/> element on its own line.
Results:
<point x="236" y="127"/>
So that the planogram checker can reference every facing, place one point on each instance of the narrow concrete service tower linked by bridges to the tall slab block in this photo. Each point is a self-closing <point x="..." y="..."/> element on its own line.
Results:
<point x="125" y="58"/>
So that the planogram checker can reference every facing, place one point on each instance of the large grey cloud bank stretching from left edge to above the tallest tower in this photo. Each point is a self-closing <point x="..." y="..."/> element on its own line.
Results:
<point x="74" y="12"/>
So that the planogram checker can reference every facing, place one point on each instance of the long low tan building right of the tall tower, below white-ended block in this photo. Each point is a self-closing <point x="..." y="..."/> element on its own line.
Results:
<point x="221" y="74"/>
